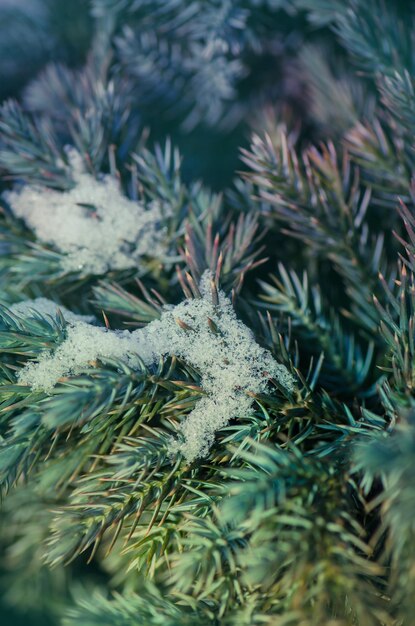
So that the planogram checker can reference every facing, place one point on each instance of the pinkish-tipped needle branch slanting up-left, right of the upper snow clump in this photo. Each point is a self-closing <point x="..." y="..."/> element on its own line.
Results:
<point x="317" y="195"/>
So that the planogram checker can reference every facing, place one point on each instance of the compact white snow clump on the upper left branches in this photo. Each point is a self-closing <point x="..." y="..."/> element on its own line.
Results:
<point x="93" y="224"/>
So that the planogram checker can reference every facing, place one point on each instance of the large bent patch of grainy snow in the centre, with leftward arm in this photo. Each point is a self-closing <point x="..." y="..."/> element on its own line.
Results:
<point x="207" y="336"/>
